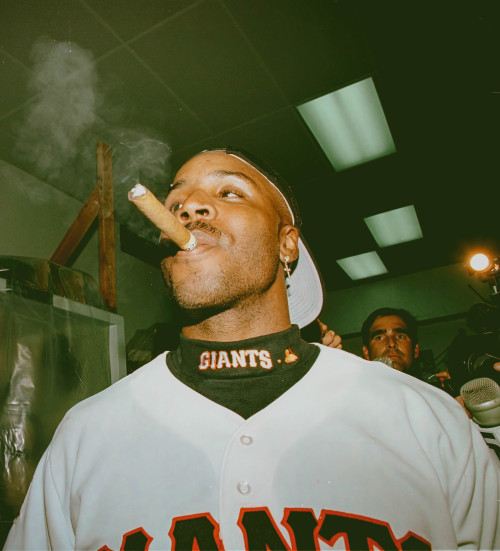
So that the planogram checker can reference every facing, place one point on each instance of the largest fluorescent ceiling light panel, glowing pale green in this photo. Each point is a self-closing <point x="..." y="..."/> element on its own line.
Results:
<point x="350" y="125"/>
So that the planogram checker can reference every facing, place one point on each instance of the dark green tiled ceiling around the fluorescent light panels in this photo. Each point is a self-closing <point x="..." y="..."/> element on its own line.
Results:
<point x="186" y="75"/>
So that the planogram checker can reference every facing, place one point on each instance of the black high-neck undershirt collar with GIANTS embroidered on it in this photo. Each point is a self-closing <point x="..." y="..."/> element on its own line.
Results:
<point x="280" y="360"/>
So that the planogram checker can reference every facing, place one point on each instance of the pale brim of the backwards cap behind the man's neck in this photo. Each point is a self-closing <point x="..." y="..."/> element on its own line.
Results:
<point x="304" y="289"/>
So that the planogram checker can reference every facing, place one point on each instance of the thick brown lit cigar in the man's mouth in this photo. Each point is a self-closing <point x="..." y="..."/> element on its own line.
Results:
<point x="161" y="217"/>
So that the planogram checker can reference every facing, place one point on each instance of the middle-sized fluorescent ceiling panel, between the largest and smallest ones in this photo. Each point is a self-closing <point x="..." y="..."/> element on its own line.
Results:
<point x="395" y="226"/>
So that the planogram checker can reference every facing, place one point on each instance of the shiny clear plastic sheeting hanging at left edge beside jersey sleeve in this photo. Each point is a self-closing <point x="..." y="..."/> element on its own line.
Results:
<point x="50" y="359"/>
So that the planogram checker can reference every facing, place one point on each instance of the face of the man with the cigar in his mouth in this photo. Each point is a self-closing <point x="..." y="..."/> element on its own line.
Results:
<point x="231" y="209"/>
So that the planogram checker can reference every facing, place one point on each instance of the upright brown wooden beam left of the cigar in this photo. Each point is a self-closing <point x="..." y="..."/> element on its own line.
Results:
<point x="107" y="264"/>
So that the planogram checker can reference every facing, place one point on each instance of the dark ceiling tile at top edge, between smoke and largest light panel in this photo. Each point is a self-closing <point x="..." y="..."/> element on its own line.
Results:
<point x="203" y="58"/>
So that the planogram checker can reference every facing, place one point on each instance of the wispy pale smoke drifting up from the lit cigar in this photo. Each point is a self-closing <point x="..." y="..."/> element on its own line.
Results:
<point x="69" y="114"/>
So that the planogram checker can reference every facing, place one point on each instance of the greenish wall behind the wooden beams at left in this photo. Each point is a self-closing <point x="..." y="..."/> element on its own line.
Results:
<point x="35" y="217"/>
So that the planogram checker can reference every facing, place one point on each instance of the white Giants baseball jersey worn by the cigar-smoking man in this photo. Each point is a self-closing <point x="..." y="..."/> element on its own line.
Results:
<point x="355" y="455"/>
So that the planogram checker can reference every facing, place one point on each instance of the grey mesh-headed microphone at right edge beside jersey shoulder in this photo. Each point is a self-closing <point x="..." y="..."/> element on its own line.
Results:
<point x="482" y="399"/>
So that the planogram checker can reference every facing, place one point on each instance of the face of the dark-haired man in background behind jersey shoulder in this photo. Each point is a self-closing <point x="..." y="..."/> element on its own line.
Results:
<point x="389" y="337"/>
